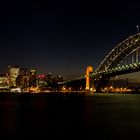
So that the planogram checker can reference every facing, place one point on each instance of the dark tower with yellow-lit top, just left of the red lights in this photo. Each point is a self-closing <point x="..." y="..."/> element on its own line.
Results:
<point x="32" y="78"/>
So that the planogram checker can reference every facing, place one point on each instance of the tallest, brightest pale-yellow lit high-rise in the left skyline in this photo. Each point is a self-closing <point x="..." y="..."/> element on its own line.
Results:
<point x="13" y="73"/>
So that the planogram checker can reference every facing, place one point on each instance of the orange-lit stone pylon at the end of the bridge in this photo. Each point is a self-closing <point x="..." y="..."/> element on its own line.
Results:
<point x="89" y="83"/>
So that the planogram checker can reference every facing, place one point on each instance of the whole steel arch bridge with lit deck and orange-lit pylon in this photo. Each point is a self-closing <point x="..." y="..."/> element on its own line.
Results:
<point x="122" y="59"/>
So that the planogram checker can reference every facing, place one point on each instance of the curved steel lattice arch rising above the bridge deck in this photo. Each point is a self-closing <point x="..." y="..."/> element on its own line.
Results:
<point x="120" y="52"/>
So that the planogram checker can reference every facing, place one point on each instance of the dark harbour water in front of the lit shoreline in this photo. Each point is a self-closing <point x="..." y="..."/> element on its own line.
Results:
<point x="102" y="116"/>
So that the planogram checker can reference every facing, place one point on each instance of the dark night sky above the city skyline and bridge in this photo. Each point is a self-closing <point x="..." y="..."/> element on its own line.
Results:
<point x="63" y="37"/>
